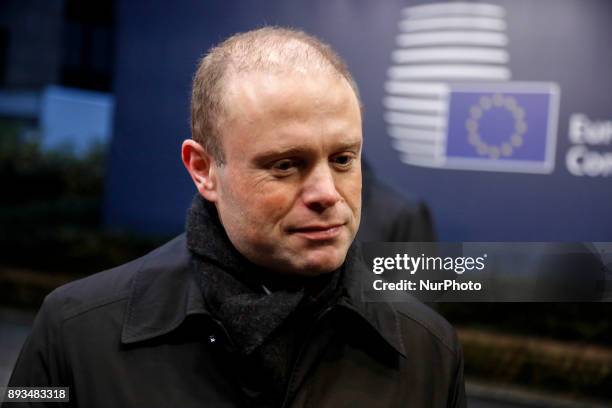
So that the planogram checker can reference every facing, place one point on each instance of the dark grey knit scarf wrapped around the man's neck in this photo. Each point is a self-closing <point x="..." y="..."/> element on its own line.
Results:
<point x="266" y="315"/>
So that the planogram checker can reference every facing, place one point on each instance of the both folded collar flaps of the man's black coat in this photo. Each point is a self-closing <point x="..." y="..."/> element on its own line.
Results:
<point x="165" y="291"/>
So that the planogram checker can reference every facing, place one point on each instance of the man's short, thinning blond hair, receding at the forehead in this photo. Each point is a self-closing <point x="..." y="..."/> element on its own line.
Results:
<point x="268" y="49"/>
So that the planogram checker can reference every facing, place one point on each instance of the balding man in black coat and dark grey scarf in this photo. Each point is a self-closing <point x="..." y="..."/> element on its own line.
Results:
<point x="258" y="304"/>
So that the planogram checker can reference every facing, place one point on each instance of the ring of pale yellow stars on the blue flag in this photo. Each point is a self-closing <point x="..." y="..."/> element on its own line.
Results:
<point x="485" y="104"/>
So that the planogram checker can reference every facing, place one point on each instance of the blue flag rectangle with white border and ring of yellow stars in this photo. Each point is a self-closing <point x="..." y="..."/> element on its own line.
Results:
<point x="503" y="127"/>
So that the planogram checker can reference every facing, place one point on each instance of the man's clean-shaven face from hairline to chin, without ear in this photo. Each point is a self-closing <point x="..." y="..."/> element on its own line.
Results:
<point x="289" y="193"/>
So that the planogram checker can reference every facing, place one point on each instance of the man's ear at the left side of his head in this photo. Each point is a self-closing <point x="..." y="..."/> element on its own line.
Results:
<point x="201" y="167"/>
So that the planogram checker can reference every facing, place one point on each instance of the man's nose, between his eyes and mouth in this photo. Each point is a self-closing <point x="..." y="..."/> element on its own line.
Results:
<point x="320" y="189"/>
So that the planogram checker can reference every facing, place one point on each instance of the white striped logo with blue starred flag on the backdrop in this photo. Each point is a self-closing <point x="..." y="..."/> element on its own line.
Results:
<point x="449" y="100"/>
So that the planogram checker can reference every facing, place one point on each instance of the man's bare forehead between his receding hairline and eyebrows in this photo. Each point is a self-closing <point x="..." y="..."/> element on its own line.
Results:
<point x="289" y="108"/>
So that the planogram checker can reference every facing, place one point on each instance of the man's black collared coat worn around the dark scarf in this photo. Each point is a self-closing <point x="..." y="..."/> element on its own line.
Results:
<point x="139" y="335"/>
